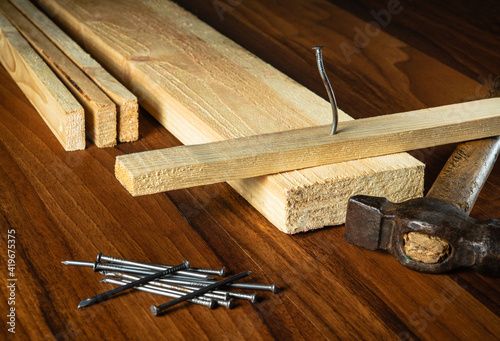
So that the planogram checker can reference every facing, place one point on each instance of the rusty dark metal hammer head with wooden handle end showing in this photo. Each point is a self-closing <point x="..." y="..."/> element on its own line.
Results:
<point x="424" y="234"/>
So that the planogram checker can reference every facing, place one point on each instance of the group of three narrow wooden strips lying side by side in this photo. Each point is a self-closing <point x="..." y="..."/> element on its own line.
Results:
<point x="87" y="81"/>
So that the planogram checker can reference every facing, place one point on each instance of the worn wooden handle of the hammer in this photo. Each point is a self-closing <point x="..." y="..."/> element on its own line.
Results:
<point x="465" y="172"/>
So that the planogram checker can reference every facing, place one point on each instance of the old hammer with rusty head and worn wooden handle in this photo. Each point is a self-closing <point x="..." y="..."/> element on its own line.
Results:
<point x="435" y="234"/>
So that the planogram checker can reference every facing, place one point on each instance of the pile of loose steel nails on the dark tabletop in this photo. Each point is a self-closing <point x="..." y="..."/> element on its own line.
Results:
<point x="181" y="282"/>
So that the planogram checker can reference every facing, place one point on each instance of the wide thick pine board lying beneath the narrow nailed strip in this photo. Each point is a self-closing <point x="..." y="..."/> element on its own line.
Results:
<point x="203" y="88"/>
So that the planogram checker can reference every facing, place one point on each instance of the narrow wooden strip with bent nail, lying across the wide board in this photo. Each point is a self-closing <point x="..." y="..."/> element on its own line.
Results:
<point x="195" y="165"/>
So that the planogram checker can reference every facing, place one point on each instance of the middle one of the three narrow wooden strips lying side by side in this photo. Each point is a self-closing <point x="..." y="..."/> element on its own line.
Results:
<point x="100" y="112"/>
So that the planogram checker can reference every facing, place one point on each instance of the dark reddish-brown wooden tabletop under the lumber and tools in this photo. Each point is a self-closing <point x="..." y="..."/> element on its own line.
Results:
<point x="68" y="205"/>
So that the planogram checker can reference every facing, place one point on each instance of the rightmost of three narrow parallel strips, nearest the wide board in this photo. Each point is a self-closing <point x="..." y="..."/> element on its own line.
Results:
<point x="126" y="102"/>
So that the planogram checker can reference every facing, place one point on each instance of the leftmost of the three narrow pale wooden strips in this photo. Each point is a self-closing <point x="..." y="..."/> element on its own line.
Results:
<point x="58" y="108"/>
